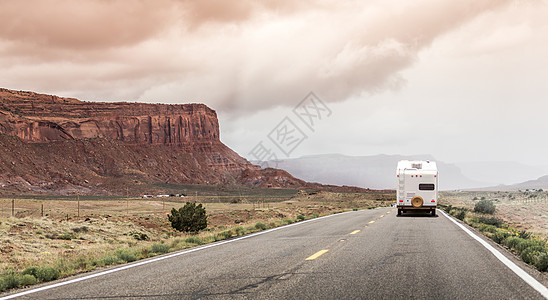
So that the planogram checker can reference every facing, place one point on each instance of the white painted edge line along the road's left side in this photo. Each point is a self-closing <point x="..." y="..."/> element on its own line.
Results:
<point x="133" y="265"/>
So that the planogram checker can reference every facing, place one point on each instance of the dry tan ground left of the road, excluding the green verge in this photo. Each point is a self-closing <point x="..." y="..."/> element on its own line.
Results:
<point x="46" y="232"/>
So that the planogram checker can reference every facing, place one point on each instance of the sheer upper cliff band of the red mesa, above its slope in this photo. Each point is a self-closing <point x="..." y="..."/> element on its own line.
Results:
<point x="43" y="118"/>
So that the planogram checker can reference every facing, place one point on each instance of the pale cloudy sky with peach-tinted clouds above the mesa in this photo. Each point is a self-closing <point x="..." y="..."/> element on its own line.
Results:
<point x="461" y="80"/>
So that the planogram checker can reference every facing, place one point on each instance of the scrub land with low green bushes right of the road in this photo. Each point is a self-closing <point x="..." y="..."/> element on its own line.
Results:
<point x="516" y="220"/>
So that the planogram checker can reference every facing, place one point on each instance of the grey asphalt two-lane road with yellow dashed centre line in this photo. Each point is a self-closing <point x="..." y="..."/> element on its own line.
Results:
<point x="364" y="254"/>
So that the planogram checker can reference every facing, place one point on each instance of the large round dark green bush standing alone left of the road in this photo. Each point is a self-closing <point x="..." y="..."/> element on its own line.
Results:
<point x="189" y="218"/>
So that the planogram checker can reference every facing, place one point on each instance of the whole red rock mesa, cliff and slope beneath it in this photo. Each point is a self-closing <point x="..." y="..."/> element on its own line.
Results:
<point x="59" y="145"/>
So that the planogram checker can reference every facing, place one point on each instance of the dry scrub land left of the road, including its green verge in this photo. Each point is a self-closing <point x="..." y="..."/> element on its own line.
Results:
<point x="62" y="240"/>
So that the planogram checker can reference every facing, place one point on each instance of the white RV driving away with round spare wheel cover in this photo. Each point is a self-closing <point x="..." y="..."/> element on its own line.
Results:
<point x="417" y="183"/>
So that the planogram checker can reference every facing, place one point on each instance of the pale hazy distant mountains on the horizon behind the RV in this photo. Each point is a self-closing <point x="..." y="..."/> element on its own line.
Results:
<point x="378" y="171"/>
